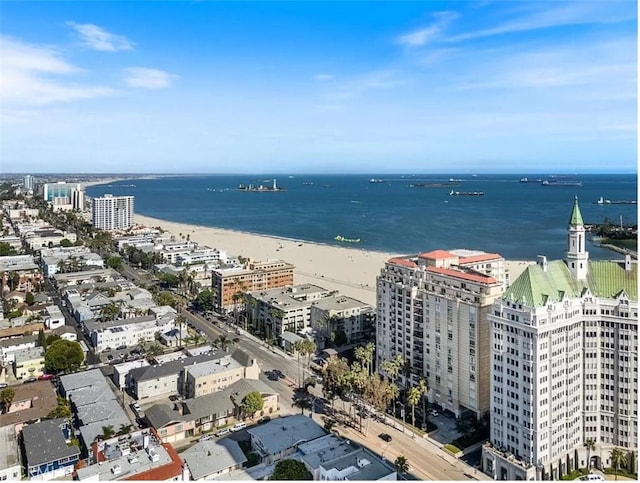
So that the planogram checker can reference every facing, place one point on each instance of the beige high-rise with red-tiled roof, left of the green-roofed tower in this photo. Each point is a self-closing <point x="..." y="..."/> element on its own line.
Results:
<point x="432" y="311"/>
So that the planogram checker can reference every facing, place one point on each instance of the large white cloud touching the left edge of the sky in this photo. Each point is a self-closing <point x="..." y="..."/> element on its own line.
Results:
<point x="28" y="76"/>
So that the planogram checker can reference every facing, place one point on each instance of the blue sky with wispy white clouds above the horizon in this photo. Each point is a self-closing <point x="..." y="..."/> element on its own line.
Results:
<point x="302" y="86"/>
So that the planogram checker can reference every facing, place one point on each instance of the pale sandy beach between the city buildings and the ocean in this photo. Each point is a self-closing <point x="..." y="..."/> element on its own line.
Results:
<point x="349" y="270"/>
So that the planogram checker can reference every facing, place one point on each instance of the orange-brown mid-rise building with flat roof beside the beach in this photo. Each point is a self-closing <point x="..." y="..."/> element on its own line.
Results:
<point x="230" y="284"/>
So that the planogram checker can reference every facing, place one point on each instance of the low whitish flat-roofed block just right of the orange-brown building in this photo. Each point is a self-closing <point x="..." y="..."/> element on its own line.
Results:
<point x="287" y="309"/>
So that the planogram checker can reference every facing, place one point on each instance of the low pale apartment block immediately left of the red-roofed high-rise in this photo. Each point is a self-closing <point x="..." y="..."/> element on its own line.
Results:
<point x="340" y="320"/>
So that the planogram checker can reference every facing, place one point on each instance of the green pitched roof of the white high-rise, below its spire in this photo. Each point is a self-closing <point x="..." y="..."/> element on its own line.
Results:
<point x="535" y="287"/>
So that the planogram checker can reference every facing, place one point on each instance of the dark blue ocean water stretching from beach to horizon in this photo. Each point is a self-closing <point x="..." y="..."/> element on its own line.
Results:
<point x="516" y="220"/>
